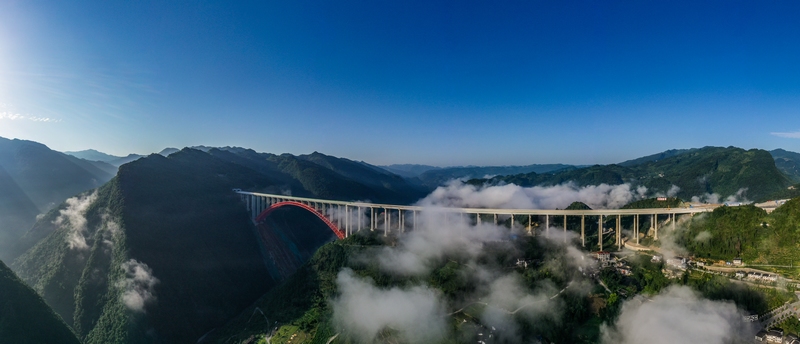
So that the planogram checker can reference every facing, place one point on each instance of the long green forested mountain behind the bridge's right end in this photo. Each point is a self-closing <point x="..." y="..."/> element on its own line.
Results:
<point x="745" y="174"/>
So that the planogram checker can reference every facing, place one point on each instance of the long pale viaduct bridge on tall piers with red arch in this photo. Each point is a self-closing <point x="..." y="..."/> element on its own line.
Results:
<point x="345" y="218"/>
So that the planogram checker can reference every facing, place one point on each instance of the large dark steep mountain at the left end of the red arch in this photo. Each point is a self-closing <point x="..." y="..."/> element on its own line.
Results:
<point x="164" y="252"/>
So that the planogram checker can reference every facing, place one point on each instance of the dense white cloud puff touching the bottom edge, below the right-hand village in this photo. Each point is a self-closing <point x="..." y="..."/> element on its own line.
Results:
<point x="678" y="315"/>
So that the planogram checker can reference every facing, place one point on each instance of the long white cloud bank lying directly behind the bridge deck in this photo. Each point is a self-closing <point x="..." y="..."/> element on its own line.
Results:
<point x="511" y="196"/>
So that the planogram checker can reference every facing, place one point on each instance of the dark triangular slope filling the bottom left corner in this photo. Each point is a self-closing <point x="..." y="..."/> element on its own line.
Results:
<point x="25" y="317"/>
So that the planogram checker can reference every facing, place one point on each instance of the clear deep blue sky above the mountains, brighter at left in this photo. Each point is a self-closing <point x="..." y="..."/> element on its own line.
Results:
<point x="440" y="83"/>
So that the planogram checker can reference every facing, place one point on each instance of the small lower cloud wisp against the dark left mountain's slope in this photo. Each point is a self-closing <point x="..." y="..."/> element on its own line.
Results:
<point x="137" y="286"/>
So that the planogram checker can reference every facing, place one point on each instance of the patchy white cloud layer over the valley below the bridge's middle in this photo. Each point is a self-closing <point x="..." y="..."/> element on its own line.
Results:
<point x="419" y="313"/>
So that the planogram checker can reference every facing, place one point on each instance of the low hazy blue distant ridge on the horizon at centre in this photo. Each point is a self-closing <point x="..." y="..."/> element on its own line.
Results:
<point x="437" y="177"/>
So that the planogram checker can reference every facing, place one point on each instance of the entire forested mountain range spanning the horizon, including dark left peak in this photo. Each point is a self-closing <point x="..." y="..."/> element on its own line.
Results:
<point x="165" y="251"/>
